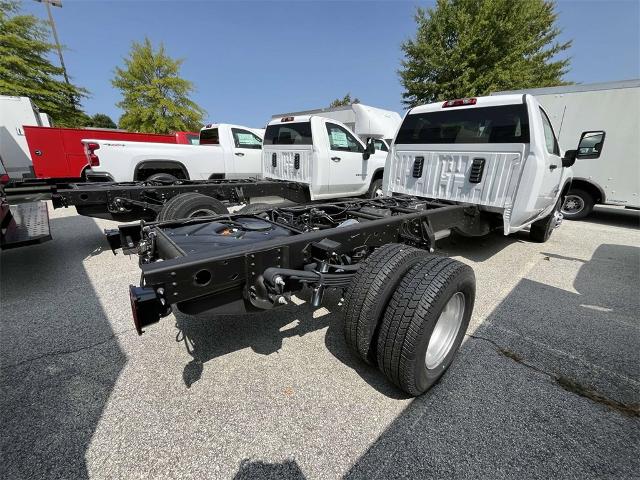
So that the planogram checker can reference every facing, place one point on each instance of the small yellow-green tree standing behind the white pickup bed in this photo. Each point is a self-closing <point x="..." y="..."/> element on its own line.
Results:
<point x="155" y="99"/>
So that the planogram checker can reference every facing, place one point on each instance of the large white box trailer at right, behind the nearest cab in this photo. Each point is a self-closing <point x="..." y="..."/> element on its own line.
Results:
<point x="608" y="166"/>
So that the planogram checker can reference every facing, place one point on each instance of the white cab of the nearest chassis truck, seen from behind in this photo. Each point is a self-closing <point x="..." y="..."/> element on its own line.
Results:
<point x="499" y="153"/>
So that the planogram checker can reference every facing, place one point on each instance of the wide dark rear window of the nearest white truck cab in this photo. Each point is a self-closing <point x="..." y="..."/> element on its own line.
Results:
<point x="500" y="124"/>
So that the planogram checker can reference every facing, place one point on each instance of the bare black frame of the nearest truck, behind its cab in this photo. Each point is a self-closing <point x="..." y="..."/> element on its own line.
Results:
<point x="239" y="263"/>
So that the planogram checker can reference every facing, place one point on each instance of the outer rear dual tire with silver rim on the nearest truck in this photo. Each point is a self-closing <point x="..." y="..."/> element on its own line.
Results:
<point x="425" y="322"/>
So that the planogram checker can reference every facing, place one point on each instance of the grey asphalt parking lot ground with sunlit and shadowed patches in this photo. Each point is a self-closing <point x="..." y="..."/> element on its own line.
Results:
<point x="546" y="385"/>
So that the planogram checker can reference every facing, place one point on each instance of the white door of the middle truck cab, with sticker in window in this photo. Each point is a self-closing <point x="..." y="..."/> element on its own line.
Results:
<point x="347" y="168"/>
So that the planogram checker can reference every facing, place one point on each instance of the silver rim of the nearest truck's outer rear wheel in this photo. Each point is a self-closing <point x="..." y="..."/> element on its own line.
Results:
<point x="445" y="332"/>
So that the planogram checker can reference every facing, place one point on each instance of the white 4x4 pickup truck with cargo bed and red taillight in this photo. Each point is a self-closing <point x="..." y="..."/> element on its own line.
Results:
<point x="225" y="152"/>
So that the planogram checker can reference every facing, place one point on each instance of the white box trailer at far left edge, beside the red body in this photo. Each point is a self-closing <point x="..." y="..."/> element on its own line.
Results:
<point x="15" y="113"/>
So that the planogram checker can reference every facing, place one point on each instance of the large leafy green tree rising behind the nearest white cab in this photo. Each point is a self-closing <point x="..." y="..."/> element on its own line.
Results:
<point x="466" y="48"/>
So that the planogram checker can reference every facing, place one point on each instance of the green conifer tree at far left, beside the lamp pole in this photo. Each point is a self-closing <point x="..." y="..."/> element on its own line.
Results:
<point x="26" y="71"/>
